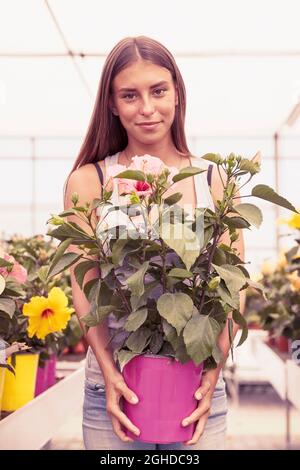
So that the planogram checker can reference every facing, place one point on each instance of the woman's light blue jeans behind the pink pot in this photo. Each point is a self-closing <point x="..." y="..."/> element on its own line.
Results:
<point x="98" y="432"/>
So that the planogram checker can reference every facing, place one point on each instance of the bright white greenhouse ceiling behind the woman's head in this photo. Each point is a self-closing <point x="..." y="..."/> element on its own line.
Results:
<point x="240" y="61"/>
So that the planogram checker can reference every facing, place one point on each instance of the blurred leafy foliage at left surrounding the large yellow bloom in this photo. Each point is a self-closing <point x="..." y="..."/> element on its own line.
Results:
<point x="31" y="255"/>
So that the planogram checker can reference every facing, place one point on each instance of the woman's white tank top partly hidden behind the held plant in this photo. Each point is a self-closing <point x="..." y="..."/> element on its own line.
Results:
<point x="203" y="199"/>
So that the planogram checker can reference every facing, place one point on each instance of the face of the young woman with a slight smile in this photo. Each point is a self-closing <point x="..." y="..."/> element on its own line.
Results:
<point x="138" y="96"/>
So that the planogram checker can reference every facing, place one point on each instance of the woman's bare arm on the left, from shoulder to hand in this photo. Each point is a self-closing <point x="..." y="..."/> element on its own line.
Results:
<point x="85" y="182"/>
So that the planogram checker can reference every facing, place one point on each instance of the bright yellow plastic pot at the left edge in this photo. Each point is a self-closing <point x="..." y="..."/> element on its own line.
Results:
<point x="19" y="389"/>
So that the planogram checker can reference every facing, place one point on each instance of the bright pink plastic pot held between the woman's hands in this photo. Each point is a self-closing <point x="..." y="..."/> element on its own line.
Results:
<point x="165" y="388"/>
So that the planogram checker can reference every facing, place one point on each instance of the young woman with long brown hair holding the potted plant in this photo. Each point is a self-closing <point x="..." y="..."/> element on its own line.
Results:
<point x="139" y="109"/>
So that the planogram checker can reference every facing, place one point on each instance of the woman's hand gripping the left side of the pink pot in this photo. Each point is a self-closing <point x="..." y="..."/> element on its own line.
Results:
<point x="116" y="388"/>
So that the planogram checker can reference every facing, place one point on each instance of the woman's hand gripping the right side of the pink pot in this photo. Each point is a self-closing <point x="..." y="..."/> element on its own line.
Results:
<point x="204" y="395"/>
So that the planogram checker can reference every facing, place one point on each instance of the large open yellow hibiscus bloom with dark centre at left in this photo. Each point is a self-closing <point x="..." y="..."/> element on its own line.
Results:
<point x="47" y="315"/>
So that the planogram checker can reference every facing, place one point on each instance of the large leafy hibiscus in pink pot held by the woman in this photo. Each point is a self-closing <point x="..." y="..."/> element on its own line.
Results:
<point x="166" y="277"/>
